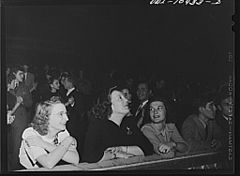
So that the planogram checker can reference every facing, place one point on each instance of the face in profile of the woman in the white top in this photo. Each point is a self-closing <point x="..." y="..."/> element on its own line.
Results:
<point x="58" y="117"/>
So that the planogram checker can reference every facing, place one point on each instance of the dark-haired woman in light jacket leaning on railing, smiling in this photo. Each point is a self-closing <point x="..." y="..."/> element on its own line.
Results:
<point x="164" y="136"/>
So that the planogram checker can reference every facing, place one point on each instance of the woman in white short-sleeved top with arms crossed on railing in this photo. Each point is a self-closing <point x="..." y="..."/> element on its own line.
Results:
<point x="47" y="141"/>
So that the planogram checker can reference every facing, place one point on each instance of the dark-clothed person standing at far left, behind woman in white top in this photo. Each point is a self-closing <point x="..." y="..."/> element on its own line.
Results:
<point x="22" y="116"/>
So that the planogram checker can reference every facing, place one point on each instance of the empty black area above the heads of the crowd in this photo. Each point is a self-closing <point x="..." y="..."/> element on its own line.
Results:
<point x="168" y="40"/>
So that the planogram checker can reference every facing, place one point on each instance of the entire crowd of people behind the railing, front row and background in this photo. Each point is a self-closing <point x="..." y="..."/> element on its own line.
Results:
<point x="57" y="115"/>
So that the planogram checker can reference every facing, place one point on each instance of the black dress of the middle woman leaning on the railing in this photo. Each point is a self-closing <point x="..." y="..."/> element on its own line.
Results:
<point x="103" y="134"/>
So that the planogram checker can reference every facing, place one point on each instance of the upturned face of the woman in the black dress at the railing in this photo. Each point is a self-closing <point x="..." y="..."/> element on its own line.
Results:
<point x="119" y="103"/>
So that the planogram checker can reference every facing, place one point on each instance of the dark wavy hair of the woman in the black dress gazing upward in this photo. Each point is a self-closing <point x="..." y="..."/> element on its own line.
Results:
<point x="102" y="108"/>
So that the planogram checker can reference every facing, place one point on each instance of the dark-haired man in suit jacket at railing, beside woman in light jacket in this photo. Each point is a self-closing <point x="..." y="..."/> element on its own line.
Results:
<point x="200" y="130"/>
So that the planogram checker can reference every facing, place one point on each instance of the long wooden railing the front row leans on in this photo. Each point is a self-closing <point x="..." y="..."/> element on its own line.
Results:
<point x="201" y="160"/>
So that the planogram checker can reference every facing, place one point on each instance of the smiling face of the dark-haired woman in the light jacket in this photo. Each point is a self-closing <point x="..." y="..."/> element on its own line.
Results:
<point x="157" y="112"/>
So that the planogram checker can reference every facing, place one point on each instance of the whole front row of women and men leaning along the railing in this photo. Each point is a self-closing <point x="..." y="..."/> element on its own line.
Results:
<point x="114" y="132"/>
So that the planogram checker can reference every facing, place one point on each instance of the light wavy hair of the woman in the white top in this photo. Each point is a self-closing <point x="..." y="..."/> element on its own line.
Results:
<point x="40" y="121"/>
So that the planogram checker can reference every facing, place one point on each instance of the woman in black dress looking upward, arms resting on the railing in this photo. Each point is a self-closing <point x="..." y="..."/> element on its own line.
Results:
<point x="105" y="139"/>
